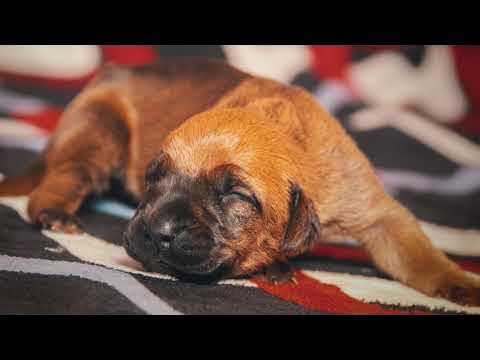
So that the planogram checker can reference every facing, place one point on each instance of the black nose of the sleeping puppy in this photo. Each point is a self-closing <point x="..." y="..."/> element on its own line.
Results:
<point x="170" y="220"/>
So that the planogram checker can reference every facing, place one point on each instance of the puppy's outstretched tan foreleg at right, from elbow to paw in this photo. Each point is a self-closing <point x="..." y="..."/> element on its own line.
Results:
<point x="399" y="247"/>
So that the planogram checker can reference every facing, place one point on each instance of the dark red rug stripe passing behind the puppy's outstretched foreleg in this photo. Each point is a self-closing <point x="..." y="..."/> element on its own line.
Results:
<point x="357" y="254"/>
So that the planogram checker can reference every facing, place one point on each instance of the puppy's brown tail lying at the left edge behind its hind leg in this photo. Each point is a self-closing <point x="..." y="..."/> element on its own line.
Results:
<point x="23" y="184"/>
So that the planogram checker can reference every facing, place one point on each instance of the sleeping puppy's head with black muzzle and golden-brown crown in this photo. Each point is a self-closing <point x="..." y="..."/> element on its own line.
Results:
<point x="222" y="199"/>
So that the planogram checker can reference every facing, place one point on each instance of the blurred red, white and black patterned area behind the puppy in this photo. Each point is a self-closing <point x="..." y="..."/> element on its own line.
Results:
<point x="413" y="109"/>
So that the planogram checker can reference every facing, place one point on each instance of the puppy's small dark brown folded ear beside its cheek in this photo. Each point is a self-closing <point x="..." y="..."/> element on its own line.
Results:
<point x="303" y="226"/>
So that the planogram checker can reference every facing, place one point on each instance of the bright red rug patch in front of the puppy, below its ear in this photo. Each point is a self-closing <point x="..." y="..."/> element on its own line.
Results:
<point x="316" y="295"/>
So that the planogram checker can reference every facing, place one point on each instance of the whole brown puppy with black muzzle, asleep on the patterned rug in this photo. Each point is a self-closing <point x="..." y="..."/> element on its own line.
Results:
<point x="241" y="174"/>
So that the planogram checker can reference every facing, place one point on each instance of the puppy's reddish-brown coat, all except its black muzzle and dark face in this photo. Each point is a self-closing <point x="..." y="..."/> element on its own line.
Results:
<point x="205" y="114"/>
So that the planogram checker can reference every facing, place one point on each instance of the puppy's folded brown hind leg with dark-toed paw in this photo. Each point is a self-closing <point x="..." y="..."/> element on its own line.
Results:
<point x="76" y="165"/>
